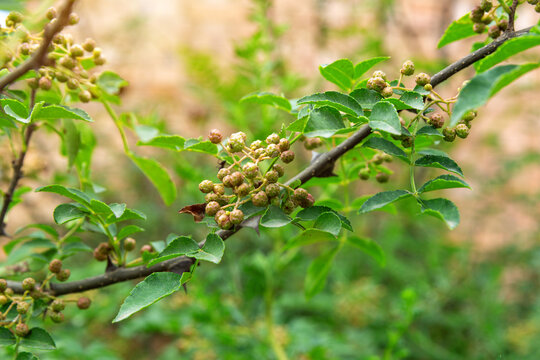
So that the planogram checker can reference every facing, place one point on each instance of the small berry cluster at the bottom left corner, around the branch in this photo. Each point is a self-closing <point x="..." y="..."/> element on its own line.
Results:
<point x="24" y="304"/>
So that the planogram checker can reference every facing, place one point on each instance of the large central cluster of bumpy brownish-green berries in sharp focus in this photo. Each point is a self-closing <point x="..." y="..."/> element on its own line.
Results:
<point x="248" y="182"/>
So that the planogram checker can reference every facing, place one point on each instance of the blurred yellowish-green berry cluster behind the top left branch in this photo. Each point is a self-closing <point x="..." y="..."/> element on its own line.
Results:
<point x="67" y="61"/>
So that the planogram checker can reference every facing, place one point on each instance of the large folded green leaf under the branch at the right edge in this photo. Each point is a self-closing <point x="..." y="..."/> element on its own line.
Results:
<point x="483" y="86"/>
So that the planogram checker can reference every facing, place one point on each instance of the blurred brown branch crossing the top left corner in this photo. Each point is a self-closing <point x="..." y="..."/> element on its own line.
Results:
<point x="40" y="56"/>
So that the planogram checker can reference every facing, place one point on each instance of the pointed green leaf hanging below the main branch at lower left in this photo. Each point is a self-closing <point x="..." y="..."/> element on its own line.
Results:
<point x="152" y="289"/>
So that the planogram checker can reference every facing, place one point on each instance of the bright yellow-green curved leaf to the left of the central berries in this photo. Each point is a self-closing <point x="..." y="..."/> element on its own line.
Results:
<point x="158" y="176"/>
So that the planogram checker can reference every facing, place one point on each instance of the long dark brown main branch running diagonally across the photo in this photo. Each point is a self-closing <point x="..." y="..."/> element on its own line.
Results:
<point x="317" y="167"/>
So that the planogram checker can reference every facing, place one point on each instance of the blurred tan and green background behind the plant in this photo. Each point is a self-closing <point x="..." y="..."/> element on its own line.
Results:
<point x="473" y="293"/>
